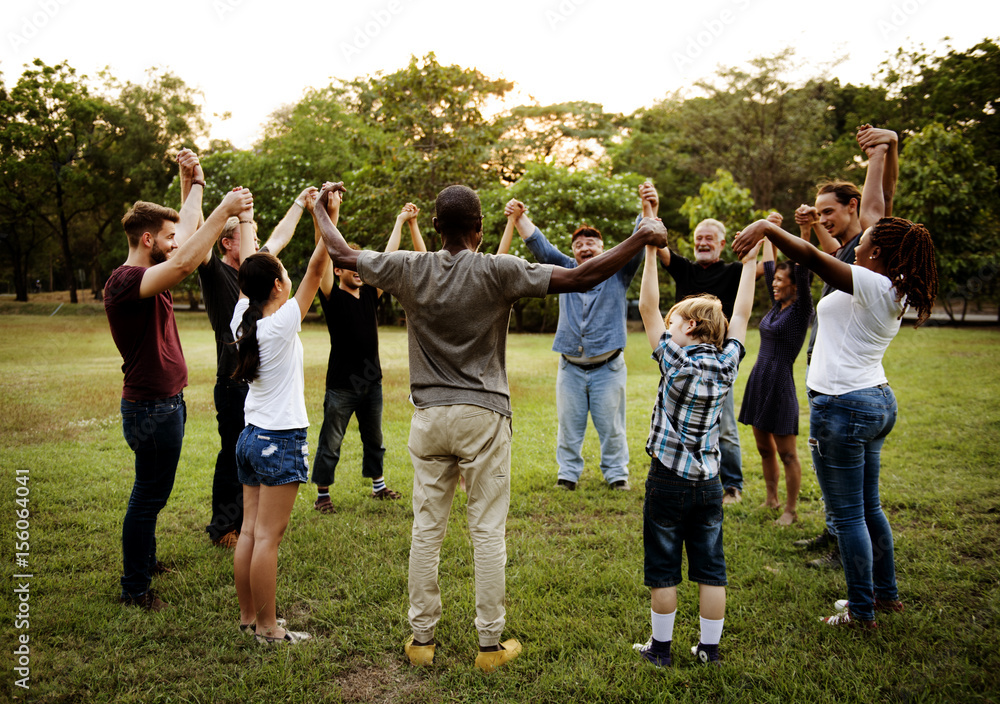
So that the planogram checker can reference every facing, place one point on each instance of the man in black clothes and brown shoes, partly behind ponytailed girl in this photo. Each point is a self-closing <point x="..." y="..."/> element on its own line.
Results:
<point x="220" y="288"/>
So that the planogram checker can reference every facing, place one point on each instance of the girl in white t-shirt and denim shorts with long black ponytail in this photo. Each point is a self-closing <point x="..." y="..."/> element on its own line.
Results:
<point x="272" y="456"/>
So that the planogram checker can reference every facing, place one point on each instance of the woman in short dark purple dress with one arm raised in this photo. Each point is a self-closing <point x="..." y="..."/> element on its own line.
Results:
<point x="769" y="403"/>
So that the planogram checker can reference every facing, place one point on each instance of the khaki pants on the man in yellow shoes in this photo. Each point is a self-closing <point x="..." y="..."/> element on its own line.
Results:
<point x="444" y="440"/>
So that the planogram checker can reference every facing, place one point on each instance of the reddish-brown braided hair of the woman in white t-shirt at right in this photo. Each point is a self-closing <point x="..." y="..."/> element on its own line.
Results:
<point x="908" y="256"/>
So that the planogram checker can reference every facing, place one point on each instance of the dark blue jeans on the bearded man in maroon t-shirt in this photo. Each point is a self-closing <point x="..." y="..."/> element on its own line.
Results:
<point x="154" y="430"/>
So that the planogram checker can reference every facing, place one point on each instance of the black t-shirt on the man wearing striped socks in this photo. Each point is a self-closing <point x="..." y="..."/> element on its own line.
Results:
<point x="353" y="327"/>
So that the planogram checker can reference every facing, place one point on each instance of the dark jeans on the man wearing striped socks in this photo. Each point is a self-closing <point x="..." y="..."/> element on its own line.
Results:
<point x="365" y="402"/>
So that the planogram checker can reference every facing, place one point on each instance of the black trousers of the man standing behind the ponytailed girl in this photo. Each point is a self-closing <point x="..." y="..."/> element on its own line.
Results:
<point x="227" y="492"/>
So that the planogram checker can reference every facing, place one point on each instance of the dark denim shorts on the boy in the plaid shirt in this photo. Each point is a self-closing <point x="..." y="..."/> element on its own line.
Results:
<point x="681" y="513"/>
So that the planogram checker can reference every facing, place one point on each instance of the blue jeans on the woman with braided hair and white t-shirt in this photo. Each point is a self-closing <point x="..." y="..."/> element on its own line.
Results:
<point x="847" y="433"/>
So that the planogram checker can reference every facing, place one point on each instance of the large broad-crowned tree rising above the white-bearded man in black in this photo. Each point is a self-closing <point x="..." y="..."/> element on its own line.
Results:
<point x="775" y="138"/>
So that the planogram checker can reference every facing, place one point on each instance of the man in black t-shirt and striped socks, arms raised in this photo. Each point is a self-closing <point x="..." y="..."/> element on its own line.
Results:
<point x="354" y="373"/>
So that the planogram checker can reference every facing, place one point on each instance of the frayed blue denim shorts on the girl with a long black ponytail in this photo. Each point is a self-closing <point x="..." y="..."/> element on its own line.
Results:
<point x="272" y="457"/>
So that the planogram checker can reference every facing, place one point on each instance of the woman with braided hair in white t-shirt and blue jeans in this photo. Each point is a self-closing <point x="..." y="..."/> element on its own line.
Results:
<point x="852" y="407"/>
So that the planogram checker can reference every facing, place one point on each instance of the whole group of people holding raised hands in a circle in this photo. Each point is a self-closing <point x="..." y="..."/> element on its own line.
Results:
<point x="458" y="303"/>
